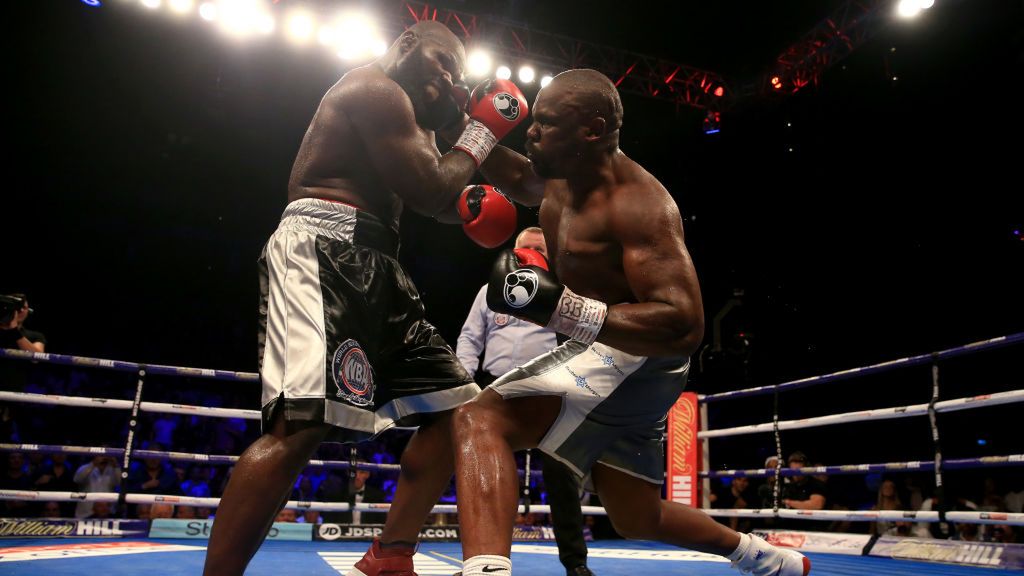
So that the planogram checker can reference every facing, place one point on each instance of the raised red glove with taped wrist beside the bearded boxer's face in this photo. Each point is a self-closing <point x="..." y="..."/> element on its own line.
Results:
<point x="496" y="107"/>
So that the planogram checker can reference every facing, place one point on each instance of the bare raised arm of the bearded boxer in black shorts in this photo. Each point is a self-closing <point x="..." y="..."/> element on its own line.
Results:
<point x="404" y="155"/>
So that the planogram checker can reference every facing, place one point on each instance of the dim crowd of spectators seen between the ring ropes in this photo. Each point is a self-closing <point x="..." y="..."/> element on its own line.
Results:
<point x="985" y="490"/>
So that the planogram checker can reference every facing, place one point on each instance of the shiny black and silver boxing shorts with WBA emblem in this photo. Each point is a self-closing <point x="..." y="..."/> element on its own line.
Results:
<point x="343" y="336"/>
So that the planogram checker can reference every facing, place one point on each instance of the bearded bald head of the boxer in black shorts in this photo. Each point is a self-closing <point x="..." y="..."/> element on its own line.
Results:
<point x="425" y="61"/>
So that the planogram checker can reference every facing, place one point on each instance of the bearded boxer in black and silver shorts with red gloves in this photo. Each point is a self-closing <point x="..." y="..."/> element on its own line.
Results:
<point x="346" y="352"/>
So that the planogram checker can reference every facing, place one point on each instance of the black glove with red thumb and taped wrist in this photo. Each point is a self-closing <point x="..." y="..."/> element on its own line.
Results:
<point x="522" y="285"/>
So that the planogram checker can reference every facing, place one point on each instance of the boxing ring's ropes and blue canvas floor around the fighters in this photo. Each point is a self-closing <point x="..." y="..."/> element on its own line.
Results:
<point x="126" y="547"/>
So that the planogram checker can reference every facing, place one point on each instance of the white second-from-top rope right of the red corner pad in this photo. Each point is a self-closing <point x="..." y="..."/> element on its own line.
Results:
<point x="878" y="415"/>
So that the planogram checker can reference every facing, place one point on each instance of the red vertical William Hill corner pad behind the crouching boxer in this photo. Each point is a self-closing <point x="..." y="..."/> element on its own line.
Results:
<point x="684" y="451"/>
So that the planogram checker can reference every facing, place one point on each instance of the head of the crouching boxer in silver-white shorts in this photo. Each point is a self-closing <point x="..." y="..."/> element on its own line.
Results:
<point x="577" y="116"/>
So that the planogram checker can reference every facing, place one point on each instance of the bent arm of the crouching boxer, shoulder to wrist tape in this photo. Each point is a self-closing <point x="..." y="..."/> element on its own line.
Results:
<point x="668" y="319"/>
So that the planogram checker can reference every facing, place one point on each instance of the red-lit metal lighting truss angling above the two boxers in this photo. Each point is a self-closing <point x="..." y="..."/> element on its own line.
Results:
<point x="799" y="66"/>
